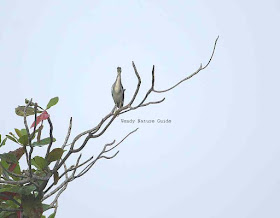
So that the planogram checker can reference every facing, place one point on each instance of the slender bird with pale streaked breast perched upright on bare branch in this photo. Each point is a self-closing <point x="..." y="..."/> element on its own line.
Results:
<point x="117" y="90"/>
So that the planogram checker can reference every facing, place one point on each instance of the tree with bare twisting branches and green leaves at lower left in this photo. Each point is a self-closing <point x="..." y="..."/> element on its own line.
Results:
<point x="37" y="186"/>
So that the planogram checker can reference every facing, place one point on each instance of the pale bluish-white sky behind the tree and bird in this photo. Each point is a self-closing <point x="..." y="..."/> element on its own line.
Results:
<point x="220" y="155"/>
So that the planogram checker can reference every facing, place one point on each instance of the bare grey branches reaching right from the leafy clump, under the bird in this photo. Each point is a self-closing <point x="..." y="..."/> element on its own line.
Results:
<point x="103" y="125"/>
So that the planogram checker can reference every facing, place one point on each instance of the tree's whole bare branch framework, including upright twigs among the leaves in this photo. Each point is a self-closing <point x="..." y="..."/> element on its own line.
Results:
<point x="82" y="167"/>
